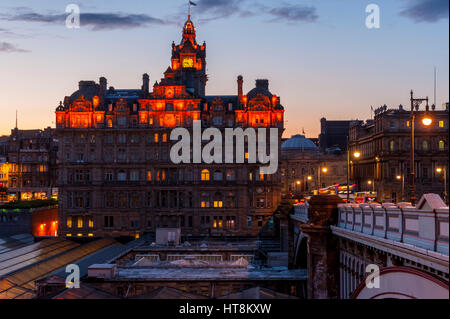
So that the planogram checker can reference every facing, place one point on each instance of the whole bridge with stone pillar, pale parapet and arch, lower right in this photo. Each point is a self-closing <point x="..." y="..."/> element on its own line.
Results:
<point x="340" y="244"/>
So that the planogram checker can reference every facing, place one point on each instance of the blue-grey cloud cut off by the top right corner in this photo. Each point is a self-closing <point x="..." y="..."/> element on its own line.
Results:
<point x="426" y="10"/>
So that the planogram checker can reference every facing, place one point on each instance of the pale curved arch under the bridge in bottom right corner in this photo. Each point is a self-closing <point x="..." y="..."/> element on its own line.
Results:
<point x="404" y="283"/>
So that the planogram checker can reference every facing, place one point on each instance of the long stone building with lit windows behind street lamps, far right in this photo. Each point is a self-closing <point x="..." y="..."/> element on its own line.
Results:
<point x="385" y="147"/>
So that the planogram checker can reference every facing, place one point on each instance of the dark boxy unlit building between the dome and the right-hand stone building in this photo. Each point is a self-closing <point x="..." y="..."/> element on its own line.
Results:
<point x="333" y="134"/>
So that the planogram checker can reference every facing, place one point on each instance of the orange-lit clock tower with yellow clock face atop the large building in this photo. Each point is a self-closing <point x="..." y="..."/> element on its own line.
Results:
<point x="189" y="61"/>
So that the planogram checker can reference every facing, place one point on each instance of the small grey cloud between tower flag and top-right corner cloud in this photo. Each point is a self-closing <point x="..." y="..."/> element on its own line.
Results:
<point x="293" y="13"/>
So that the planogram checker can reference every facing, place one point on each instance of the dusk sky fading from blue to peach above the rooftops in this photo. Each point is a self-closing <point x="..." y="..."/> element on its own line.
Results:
<point x="319" y="55"/>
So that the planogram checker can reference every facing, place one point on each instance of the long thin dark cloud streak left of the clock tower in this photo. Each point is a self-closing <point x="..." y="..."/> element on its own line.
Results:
<point x="96" y="21"/>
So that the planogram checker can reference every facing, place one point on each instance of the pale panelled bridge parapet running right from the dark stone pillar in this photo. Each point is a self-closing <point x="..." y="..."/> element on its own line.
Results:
<point x="426" y="228"/>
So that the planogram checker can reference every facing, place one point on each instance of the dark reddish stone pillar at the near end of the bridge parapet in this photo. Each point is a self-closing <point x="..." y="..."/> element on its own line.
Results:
<point x="323" y="252"/>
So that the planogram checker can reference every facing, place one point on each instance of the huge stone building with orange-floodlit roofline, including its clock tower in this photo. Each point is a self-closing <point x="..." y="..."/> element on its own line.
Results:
<point x="115" y="174"/>
